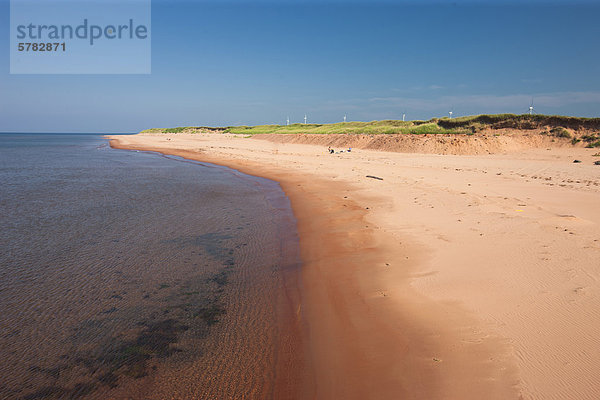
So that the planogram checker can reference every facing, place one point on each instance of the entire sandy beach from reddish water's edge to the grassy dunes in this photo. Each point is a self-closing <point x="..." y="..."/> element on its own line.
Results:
<point x="454" y="277"/>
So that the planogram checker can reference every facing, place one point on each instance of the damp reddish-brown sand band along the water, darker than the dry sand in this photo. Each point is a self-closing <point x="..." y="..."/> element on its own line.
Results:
<point x="359" y="343"/>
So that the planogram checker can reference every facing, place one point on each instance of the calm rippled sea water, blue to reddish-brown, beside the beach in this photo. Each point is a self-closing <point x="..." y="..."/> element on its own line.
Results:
<point x="133" y="275"/>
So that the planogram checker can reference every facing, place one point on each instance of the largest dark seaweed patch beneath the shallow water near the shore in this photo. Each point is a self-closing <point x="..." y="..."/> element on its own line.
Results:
<point x="131" y="359"/>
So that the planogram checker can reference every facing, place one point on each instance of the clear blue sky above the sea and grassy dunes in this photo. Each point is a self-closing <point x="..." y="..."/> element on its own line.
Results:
<point x="248" y="63"/>
